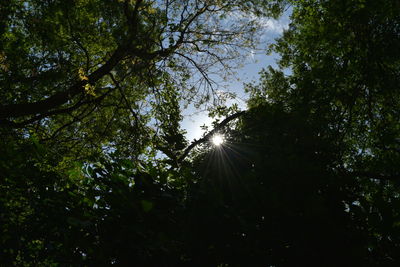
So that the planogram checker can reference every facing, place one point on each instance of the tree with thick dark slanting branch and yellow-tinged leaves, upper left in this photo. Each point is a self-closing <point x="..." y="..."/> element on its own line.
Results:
<point x="89" y="74"/>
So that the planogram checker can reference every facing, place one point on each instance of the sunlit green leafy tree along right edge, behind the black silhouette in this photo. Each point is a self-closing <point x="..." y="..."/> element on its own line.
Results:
<point x="343" y="82"/>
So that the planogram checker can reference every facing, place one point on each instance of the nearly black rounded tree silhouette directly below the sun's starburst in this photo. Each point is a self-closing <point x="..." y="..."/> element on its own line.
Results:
<point x="268" y="197"/>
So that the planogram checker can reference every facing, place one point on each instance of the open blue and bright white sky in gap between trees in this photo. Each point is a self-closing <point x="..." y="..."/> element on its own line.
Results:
<point x="193" y="119"/>
